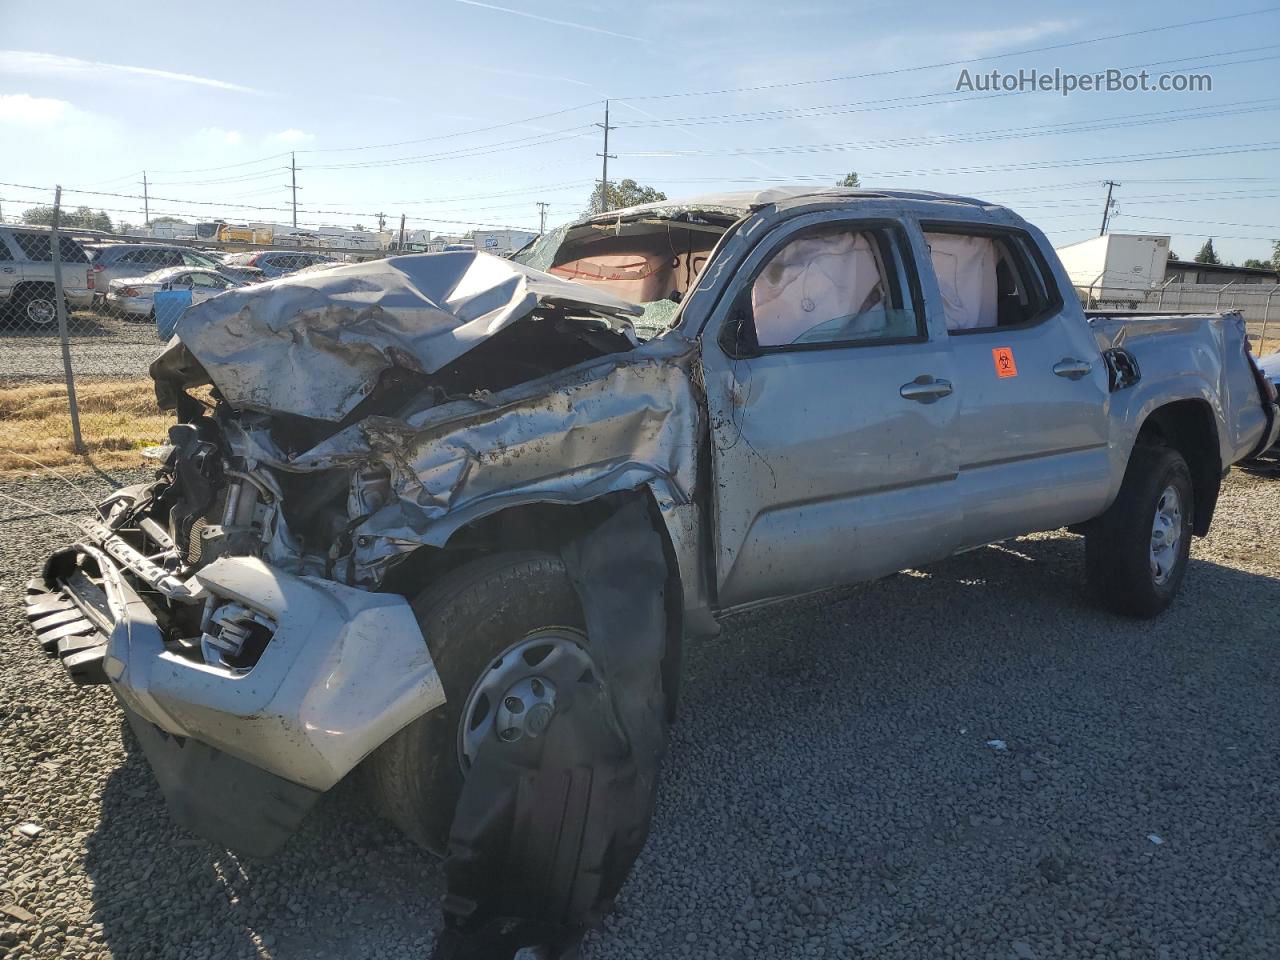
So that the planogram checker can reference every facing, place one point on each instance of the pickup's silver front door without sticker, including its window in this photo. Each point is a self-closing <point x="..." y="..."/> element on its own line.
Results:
<point x="833" y="413"/>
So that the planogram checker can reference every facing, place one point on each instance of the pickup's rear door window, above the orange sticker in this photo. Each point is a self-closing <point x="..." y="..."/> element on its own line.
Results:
<point x="989" y="280"/>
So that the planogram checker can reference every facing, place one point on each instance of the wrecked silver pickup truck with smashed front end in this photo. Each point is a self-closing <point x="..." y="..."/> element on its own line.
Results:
<point x="449" y="518"/>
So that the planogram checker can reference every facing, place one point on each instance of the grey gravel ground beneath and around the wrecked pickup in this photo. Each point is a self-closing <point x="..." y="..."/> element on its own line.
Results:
<point x="831" y="789"/>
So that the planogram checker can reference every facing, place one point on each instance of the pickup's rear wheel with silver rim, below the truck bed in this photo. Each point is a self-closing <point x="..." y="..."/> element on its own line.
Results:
<point x="1137" y="554"/>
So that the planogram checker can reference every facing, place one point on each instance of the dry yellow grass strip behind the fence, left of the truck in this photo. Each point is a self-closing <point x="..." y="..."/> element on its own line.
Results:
<point x="118" y="418"/>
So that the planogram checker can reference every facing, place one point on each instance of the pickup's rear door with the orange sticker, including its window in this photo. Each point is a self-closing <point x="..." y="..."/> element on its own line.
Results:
<point x="1034" y="399"/>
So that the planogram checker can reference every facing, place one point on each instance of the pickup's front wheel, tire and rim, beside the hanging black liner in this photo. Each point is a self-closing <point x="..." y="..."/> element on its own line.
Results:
<point x="509" y="639"/>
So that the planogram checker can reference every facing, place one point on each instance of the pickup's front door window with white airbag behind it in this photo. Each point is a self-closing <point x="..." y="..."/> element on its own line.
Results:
<point x="834" y="285"/>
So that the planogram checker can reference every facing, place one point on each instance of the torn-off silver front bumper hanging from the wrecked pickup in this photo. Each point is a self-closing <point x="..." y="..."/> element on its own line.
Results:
<point x="240" y="753"/>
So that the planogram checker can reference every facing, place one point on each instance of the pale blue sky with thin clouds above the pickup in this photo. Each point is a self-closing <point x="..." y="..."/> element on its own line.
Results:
<point x="380" y="102"/>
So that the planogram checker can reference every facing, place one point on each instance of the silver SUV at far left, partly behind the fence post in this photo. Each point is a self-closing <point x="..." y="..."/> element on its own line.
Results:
<point x="28" y="276"/>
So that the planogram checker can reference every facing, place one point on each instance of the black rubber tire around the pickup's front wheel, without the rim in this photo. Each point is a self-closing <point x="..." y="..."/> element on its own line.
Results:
<point x="469" y="619"/>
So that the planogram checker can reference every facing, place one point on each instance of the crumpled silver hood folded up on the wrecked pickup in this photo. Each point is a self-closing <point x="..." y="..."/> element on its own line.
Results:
<point x="314" y="345"/>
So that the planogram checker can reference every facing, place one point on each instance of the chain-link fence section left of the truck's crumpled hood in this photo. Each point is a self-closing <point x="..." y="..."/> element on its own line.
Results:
<point x="75" y="387"/>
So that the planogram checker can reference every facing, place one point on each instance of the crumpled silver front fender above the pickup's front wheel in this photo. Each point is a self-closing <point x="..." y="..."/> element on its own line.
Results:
<point x="618" y="427"/>
